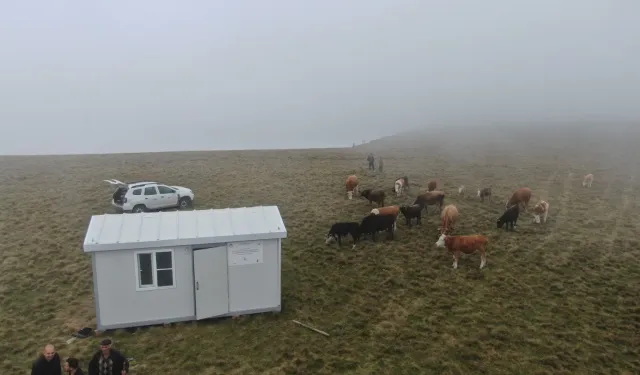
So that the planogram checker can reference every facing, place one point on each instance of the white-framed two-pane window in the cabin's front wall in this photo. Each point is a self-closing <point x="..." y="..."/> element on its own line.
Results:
<point x="155" y="269"/>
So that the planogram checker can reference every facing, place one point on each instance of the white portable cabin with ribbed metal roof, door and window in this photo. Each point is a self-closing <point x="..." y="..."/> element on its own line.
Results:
<point x="164" y="267"/>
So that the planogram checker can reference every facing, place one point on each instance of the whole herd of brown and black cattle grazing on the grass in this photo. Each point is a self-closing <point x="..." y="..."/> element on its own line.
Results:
<point x="384" y="218"/>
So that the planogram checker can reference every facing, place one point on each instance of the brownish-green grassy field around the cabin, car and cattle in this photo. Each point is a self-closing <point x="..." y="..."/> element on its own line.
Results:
<point x="558" y="298"/>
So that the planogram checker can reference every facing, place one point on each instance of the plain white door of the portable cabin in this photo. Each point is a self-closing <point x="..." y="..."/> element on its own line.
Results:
<point x="211" y="282"/>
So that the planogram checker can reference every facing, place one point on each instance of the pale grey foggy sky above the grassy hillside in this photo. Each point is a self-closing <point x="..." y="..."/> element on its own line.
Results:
<point x="153" y="75"/>
